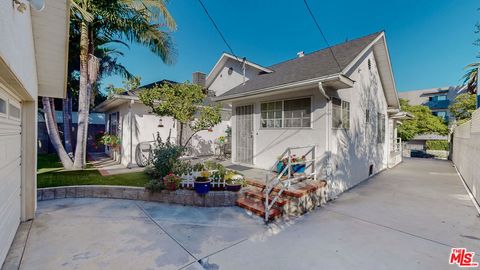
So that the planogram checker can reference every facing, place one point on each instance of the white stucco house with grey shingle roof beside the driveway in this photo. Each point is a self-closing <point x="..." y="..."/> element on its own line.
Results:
<point x="349" y="113"/>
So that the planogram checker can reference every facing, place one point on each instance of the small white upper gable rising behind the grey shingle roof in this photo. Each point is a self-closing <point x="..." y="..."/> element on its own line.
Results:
<point x="226" y="80"/>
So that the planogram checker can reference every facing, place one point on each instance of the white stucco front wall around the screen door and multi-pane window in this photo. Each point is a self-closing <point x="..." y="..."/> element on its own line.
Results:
<point x="270" y="143"/>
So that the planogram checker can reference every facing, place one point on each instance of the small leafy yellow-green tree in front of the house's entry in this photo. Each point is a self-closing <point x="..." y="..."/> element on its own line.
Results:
<point x="183" y="102"/>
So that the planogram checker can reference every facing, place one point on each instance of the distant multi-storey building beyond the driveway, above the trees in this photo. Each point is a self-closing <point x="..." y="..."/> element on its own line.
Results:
<point x="437" y="99"/>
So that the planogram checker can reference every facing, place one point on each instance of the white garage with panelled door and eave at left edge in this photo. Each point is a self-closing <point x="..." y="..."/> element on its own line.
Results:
<point x="33" y="62"/>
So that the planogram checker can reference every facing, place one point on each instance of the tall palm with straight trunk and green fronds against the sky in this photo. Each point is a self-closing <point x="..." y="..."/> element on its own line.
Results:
<point x="135" y="21"/>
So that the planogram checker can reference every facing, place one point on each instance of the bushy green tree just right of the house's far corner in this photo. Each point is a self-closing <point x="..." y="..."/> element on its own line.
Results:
<point x="424" y="122"/>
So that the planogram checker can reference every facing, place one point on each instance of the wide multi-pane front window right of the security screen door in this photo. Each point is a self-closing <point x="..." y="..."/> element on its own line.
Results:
<point x="286" y="113"/>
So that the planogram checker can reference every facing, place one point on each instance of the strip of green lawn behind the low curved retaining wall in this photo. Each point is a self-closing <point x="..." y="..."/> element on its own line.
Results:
<point x="51" y="174"/>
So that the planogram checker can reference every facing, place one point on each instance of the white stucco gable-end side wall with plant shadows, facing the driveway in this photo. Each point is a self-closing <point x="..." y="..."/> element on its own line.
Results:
<point x="355" y="149"/>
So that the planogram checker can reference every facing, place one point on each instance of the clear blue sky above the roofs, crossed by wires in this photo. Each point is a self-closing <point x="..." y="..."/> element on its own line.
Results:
<point x="429" y="41"/>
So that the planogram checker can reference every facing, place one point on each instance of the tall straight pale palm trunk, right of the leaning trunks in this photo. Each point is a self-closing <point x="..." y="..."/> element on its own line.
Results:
<point x="83" y="101"/>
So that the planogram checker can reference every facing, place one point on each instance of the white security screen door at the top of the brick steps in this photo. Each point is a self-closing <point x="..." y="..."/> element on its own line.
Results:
<point x="244" y="134"/>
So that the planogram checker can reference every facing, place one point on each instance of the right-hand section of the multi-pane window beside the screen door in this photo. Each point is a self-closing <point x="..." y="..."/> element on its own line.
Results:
<point x="297" y="112"/>
